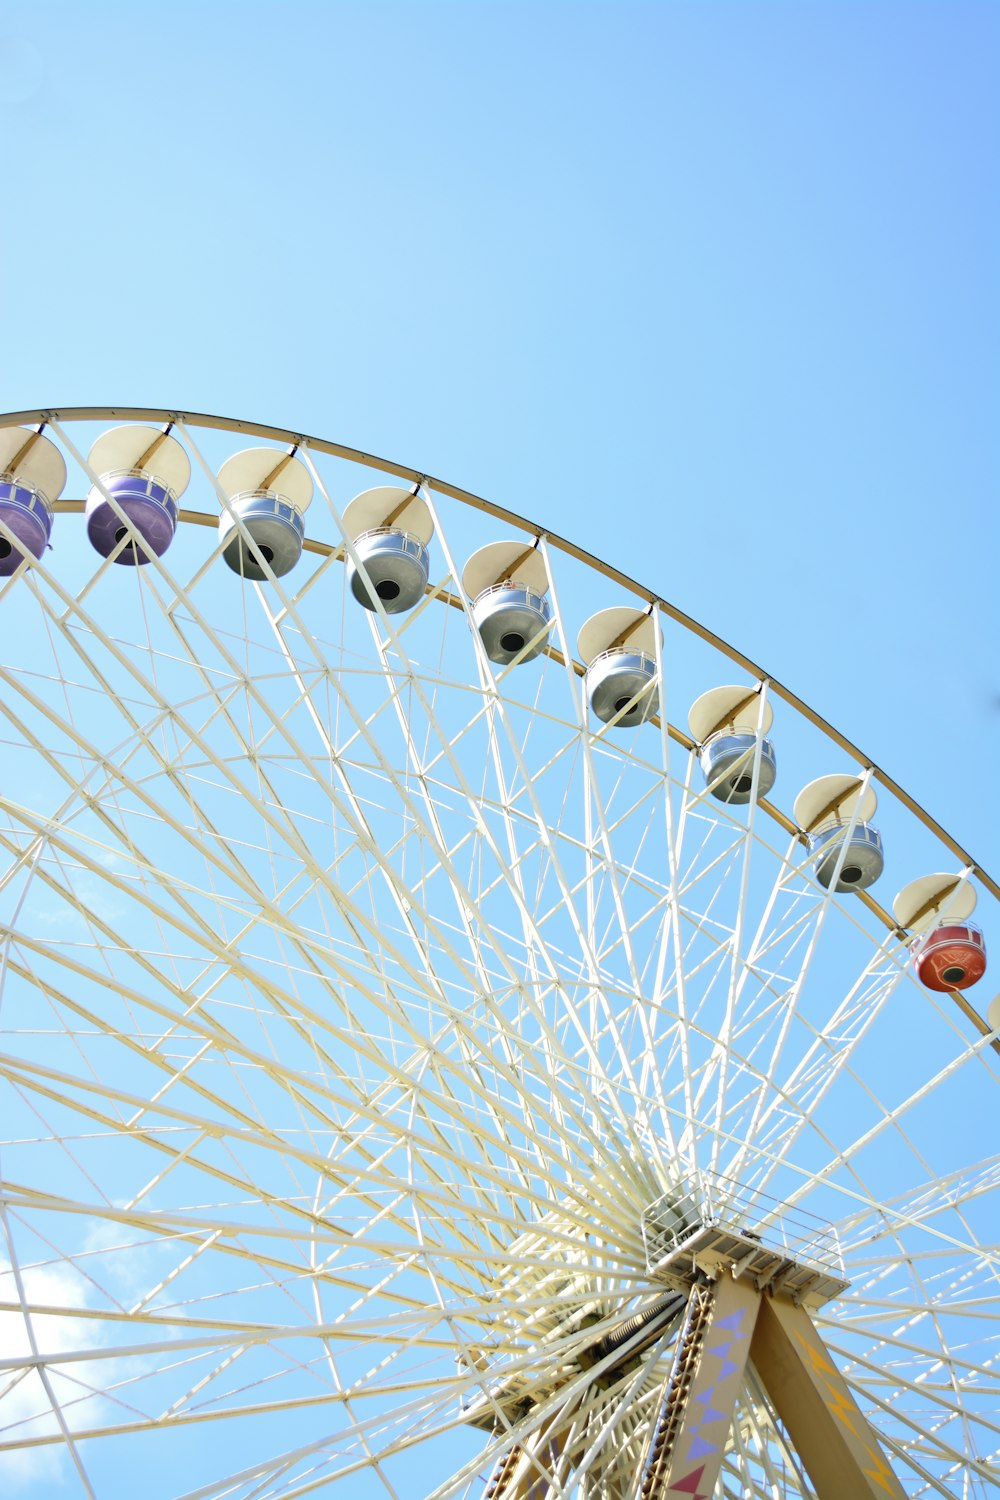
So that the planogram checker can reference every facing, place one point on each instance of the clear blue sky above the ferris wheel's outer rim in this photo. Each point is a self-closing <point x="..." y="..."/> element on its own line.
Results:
<point x="711" y="289"/>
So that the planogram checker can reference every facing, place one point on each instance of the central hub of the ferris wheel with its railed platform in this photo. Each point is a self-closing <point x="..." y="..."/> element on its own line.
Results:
<point x="567" y="1303"/>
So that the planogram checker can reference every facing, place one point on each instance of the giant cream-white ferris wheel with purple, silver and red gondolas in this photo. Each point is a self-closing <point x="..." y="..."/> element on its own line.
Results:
<point x="467" y="1031"/>
